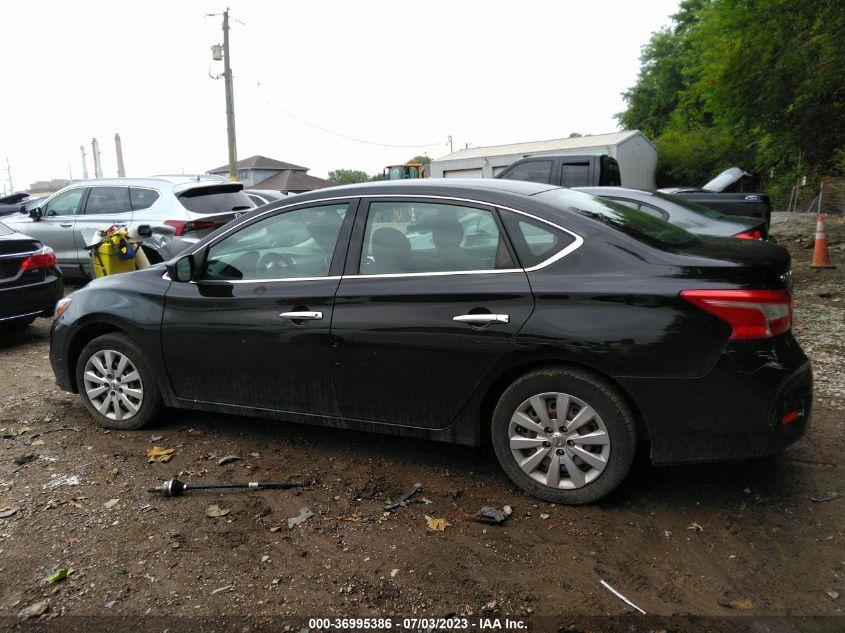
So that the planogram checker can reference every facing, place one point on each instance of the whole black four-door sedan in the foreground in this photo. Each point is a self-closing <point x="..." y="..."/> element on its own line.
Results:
<point x="563" y="329"/>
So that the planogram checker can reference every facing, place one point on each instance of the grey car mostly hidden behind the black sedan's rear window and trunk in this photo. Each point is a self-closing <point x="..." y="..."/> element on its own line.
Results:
<point x="680" y="212"/>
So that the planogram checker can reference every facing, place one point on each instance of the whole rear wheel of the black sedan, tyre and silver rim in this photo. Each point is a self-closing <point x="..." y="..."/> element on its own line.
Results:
<point x="563" y="435"/>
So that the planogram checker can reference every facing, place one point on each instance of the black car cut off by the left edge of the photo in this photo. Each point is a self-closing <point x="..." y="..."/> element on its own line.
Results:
<point x="30" y="281"/>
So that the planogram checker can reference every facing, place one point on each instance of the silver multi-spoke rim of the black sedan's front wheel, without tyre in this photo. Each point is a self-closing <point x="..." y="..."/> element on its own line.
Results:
<point x="113" y="385"/>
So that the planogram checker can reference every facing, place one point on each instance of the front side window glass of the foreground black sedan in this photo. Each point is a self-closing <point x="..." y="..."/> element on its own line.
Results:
<point x="298" y="243"/>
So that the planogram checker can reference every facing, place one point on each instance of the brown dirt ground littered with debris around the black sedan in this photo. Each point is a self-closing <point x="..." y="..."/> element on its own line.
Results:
<point x="737" y="546"/>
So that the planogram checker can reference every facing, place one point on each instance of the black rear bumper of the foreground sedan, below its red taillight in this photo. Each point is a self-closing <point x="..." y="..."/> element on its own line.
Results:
<point x="756" y="401"/>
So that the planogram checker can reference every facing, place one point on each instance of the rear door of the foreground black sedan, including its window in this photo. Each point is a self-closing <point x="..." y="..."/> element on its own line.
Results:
<point x="429" y="300"/>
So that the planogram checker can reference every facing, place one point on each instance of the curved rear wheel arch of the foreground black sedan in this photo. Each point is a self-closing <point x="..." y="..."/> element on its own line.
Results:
<point x="498" y="386"/>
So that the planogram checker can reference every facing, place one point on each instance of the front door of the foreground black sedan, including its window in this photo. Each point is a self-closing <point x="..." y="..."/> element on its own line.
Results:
<point x="253" y="330"/>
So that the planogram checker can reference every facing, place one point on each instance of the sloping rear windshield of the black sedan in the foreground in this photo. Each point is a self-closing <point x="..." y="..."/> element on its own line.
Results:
<point x="637" y="224"/>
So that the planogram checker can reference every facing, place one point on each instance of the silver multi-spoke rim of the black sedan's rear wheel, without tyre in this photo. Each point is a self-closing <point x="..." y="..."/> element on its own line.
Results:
<point x="559" y="440"/>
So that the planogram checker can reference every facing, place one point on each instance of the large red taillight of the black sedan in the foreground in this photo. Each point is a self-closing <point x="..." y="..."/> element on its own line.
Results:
<point x="751" y="313"/>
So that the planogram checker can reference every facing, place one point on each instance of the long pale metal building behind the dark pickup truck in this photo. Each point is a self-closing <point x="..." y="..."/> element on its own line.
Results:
<point x="636" y="155"/>
